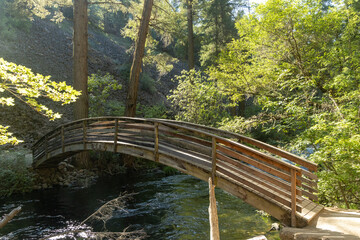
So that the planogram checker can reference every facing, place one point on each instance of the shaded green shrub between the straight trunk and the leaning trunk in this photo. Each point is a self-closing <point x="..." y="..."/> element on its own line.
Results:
<point x="100" y="88"/>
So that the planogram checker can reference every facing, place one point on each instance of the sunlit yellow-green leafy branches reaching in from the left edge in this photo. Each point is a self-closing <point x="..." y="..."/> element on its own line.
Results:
<point x="19" y="82"/>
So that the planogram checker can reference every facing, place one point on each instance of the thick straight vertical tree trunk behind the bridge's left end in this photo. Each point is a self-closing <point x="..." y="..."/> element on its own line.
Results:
<point x="80" y="68"/>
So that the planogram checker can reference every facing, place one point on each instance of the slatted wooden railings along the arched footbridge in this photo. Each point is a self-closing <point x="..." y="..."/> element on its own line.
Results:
<point x="190" y="142"/>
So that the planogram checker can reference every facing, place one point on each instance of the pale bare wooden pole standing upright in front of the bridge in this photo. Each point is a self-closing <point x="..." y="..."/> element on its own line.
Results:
<point x="213" y="217"/>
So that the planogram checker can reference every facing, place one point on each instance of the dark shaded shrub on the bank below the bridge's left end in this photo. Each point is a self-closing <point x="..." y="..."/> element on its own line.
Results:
<point x="15" y="177"/>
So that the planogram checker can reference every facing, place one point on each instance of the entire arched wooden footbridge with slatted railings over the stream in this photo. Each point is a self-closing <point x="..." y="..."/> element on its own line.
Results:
<point x="270" y="179"/>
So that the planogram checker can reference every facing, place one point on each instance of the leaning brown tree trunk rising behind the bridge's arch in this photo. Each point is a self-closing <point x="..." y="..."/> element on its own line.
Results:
<point x="131" y="98"/>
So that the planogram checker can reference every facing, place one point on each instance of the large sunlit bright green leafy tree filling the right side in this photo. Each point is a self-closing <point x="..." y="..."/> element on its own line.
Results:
<point x="300" y="62"/>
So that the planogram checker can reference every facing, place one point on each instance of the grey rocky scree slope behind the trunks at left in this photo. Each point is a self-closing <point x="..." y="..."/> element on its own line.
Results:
<point x="46" y="48"/>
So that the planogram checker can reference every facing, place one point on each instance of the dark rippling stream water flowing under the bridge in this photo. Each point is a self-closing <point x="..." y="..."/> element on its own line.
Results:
<point x="165" y="207"/>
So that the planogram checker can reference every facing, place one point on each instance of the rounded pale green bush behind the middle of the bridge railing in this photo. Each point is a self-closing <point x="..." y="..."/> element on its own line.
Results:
<point x="198" y="99"/>
